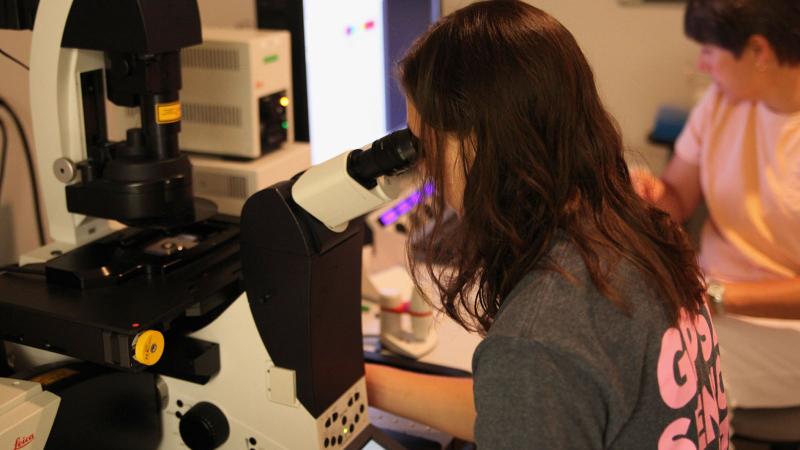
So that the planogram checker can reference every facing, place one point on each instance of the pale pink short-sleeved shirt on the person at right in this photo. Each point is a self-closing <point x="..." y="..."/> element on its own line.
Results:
<point x="749" y="160"/>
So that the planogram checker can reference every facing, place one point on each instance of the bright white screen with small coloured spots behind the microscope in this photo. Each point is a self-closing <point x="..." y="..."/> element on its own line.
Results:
<point x="345" y="74"/>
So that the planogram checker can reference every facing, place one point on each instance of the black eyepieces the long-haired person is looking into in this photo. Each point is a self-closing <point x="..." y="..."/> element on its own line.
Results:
<point x="388" y="156"/>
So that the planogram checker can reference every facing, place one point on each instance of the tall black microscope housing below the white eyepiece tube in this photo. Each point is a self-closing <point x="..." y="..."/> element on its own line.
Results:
<point x="304" y="287"/>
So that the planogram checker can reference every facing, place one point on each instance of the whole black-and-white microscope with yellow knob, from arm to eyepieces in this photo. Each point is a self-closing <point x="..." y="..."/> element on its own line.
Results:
<point x="184" y="328"/>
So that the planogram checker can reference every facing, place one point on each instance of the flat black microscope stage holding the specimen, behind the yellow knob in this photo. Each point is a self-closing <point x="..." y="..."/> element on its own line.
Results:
<point x="170" y="294"/>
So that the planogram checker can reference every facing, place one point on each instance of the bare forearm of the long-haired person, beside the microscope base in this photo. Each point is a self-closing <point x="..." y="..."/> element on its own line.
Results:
<point x="443" y="403"/>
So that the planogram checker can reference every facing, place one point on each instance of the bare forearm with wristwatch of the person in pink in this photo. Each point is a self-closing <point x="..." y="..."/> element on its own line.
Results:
<point x="776" y="299"/>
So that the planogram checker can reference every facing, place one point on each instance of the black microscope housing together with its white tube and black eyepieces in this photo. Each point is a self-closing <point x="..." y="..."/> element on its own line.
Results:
<point x="301" y="263"/>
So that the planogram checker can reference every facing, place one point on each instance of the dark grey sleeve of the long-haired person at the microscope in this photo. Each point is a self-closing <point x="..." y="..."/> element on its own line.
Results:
<point x="529" y="396"/>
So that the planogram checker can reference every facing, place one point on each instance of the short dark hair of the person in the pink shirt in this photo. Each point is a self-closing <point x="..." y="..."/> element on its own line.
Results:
<point x="730" y="23"/>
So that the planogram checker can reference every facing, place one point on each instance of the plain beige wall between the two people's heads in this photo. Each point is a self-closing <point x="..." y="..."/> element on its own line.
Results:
<point x="640" y="58"/>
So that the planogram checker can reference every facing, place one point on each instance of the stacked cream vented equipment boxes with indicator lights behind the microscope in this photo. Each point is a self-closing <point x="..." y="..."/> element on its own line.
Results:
<point x="237" y="110"/>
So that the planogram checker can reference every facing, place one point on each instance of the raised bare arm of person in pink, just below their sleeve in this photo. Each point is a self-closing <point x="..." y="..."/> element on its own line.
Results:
<point x="677" y="192"/>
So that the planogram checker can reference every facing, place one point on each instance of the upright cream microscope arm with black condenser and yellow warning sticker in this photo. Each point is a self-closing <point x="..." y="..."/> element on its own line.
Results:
<point x="81" y="50"/>
